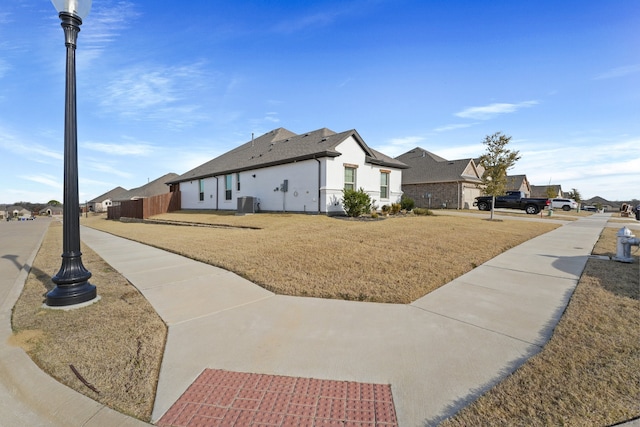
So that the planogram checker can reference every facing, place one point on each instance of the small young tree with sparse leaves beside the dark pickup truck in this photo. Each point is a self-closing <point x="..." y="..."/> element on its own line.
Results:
<point x="496" y="161"/>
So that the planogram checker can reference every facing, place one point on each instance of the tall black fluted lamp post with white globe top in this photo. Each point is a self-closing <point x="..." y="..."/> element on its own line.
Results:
<point x="72" y="281"/>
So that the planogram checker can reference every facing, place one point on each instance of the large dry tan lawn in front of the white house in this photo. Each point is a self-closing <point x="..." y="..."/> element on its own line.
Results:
<point x="395" y="260"/>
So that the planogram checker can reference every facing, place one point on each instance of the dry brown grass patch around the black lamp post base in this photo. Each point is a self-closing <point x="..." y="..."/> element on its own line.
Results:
<point x="115" y="345"/>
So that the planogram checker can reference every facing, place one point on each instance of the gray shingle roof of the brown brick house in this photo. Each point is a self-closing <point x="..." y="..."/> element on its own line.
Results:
<point x="426" y="167"/>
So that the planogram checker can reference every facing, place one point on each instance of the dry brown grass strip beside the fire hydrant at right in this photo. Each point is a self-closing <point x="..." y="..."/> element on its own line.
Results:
<point x="589" y="372"/>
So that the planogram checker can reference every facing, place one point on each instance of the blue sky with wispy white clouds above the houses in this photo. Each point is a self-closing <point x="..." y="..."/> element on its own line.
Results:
<point x="164" y="86"/>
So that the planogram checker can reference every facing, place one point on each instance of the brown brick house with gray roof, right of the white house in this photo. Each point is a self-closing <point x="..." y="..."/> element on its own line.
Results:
<point x="434" y="182"/>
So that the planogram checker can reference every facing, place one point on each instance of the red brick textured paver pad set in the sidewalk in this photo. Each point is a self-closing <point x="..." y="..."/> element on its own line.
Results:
<point x="223" y="398"/>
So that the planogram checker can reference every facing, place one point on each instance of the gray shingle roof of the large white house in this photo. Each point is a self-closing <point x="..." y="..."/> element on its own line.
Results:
<point x="281" y="146"/>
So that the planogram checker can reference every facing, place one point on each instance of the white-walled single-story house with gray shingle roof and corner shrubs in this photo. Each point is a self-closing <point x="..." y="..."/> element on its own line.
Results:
<point x="283" y="171"/>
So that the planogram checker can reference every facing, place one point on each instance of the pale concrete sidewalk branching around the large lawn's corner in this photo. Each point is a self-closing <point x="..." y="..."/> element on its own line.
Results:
<point x="438" y="353"/>
